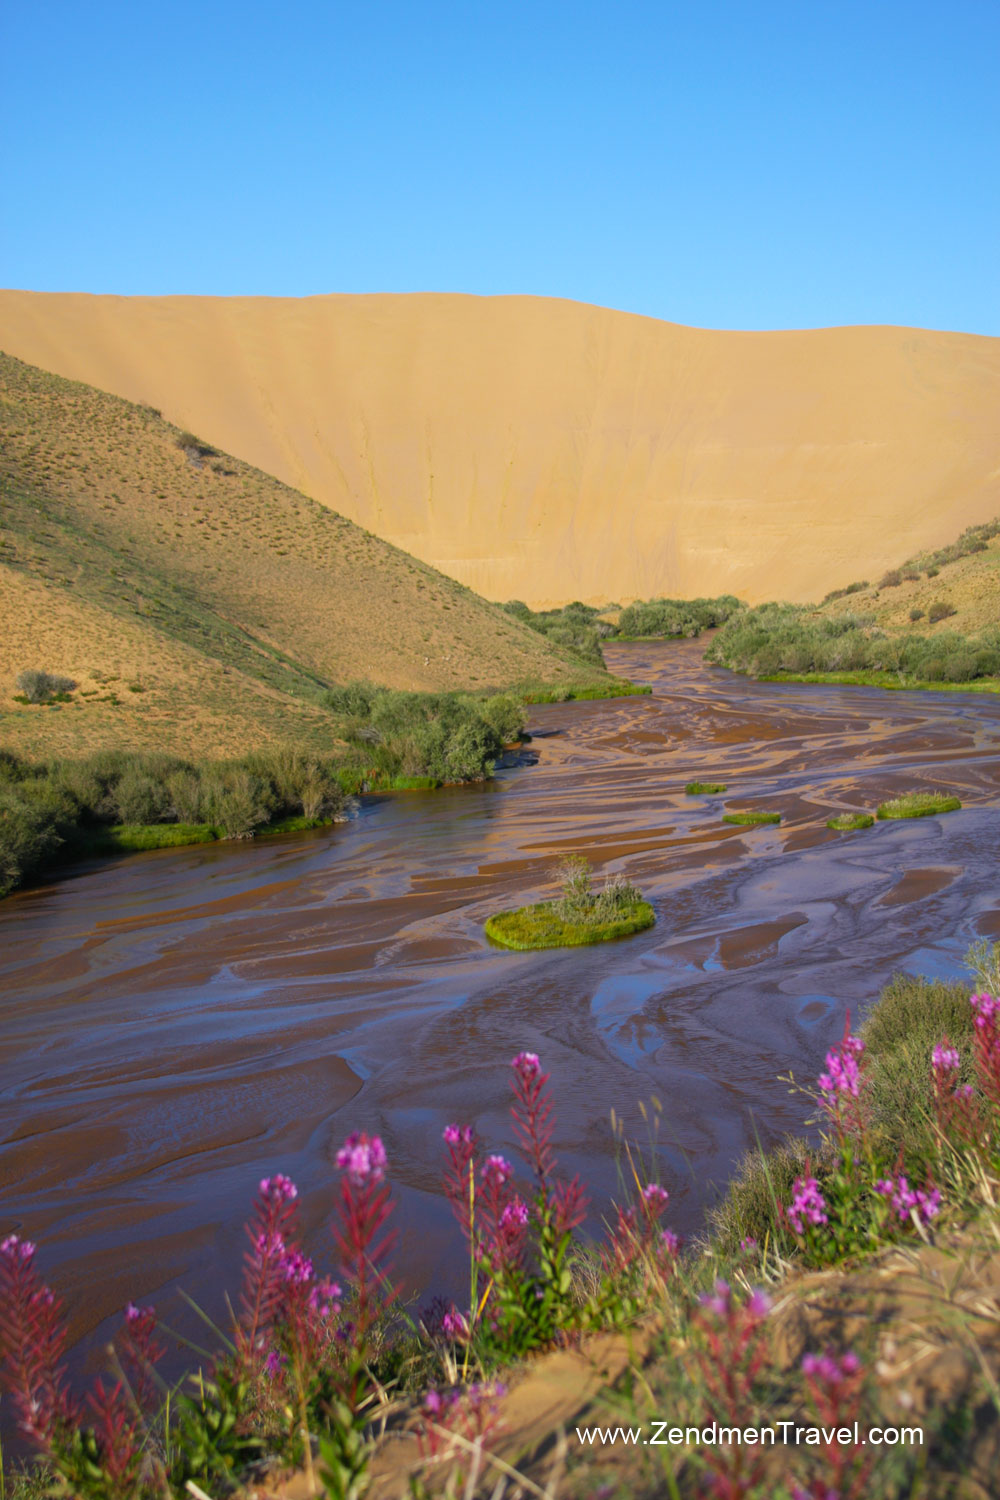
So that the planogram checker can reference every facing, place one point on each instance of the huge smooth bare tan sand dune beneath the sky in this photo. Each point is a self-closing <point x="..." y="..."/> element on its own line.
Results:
<point x="549" y="451"/>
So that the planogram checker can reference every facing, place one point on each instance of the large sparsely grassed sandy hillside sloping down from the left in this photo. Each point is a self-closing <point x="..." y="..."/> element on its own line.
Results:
<point x="202" y="605"/>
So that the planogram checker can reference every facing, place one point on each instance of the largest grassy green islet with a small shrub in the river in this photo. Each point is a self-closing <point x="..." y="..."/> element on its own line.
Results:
<point x="579" y="916"/>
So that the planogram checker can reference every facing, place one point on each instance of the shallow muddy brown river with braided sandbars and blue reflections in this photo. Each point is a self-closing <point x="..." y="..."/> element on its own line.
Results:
<point x="178" y="1025"/>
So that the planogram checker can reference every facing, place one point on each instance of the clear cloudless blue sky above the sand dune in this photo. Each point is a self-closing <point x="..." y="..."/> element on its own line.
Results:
<point x="746" y="166"/>
